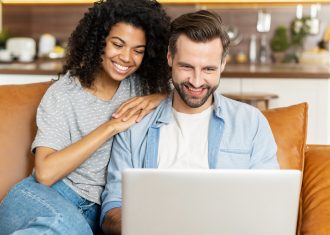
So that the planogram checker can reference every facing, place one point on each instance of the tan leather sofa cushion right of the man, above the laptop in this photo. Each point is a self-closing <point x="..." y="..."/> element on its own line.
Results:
<point x="289" y="126"/>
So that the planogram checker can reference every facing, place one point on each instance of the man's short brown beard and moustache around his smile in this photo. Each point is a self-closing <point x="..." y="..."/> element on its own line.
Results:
<point x="193" y="102"/>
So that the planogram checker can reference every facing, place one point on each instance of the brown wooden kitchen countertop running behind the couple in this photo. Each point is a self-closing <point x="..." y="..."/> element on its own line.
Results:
<point x="53" y="67"/>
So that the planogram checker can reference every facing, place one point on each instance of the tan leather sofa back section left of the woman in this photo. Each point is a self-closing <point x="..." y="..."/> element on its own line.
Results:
<point x="18" y="105"/>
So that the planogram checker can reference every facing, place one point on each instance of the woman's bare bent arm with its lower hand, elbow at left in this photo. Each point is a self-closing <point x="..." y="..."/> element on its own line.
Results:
<point x="52" y="165"/>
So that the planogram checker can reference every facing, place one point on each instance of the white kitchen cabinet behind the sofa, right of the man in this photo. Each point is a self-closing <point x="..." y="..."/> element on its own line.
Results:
<point x="314" y="91"/>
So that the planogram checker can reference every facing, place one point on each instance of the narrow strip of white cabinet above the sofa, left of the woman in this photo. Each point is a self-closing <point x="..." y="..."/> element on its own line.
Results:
<point x="24" y="78"/>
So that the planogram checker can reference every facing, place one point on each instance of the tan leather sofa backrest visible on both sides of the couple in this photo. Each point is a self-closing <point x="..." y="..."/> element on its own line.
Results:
<point x="18" y="105"/>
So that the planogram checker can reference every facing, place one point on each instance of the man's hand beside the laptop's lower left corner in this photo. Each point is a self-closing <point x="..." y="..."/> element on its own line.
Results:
<point x="112" y="222"/>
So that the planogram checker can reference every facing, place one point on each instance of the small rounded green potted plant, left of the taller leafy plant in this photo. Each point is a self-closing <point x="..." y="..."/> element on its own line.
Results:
<point x="279" y="43"/>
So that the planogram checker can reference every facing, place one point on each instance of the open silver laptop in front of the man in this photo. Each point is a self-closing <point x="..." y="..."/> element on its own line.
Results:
<point x="207" y="202"/>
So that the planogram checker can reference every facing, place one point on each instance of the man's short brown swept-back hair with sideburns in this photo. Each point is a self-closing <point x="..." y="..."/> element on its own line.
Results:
<point x="200" y="26"/>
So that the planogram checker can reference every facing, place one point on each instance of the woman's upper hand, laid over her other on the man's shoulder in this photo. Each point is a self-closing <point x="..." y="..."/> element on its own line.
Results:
<point x="141" y="105"/>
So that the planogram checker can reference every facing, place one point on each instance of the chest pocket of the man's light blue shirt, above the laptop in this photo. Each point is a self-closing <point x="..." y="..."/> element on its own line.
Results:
<point x="234" y="159"/>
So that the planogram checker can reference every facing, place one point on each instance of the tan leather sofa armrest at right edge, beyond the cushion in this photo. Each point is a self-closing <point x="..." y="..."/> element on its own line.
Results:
<point x="316" y="191"/>
